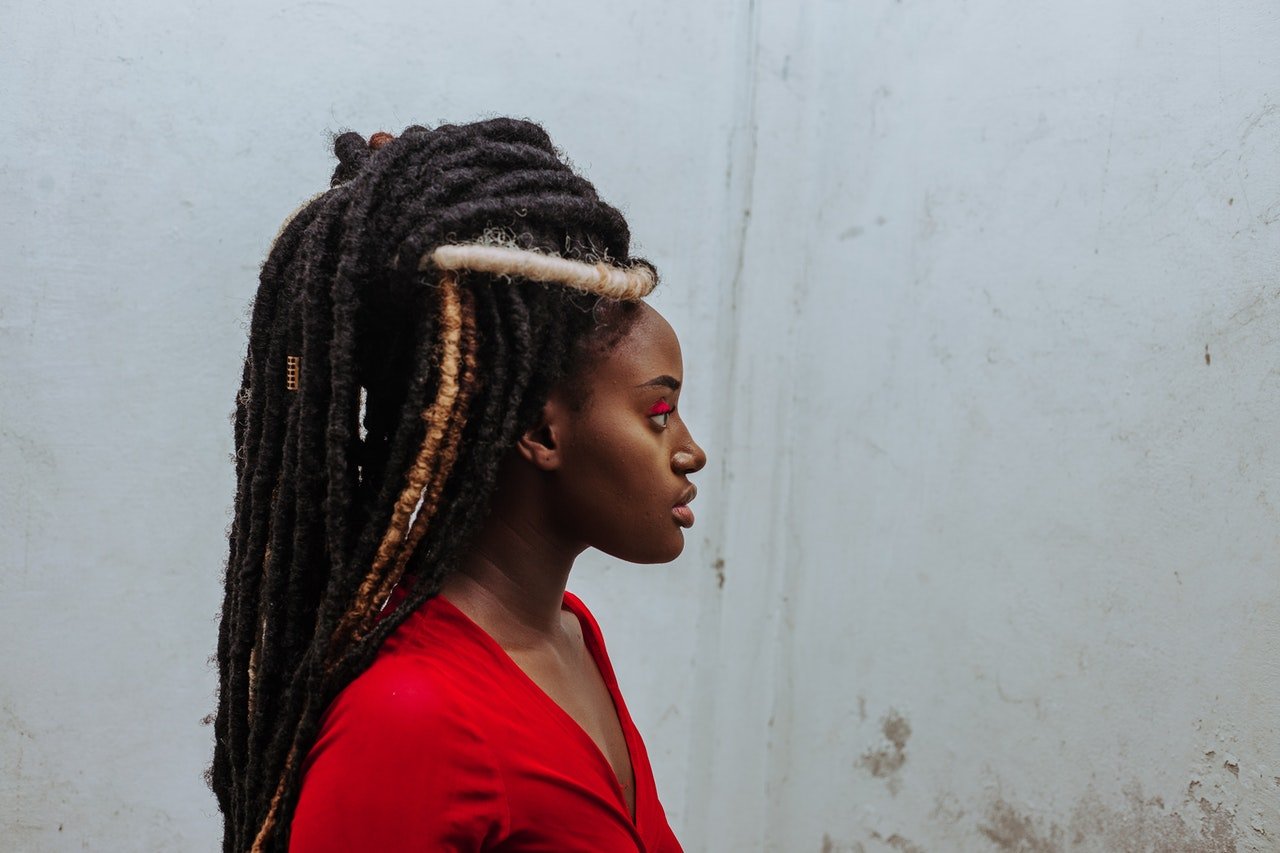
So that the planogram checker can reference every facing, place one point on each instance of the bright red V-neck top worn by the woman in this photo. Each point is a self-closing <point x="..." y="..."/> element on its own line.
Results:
<point x="445" y="745"/>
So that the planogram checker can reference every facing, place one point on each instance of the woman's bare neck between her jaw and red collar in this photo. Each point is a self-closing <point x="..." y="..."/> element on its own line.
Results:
<point x="513" y="580"/>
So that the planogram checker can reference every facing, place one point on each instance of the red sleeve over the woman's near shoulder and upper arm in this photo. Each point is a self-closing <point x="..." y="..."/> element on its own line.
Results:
<point x="399" y="768"/>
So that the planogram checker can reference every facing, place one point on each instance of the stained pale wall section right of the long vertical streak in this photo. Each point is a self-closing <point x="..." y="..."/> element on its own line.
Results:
<point x="1017" y="480"/>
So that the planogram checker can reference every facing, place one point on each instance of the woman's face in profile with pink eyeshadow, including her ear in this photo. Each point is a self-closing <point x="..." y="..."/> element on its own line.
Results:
<point x="616" y="454"/>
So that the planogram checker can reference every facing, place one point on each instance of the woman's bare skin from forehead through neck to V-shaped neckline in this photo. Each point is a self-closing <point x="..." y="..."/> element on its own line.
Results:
<point x="609" y="473"/>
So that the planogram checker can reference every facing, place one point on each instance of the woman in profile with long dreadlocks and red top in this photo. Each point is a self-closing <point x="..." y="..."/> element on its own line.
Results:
<point x="452" y="390"/>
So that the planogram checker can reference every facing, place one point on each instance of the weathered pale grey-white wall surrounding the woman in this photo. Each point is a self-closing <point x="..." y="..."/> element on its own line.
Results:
<point x="988" y="554"/>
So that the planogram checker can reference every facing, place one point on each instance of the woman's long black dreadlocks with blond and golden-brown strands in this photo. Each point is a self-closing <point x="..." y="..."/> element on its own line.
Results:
<point x="387" y="376"/>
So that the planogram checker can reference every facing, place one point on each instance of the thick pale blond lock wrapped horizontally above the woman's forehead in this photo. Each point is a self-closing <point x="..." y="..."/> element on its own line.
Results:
<point x="605" y="280"/>
